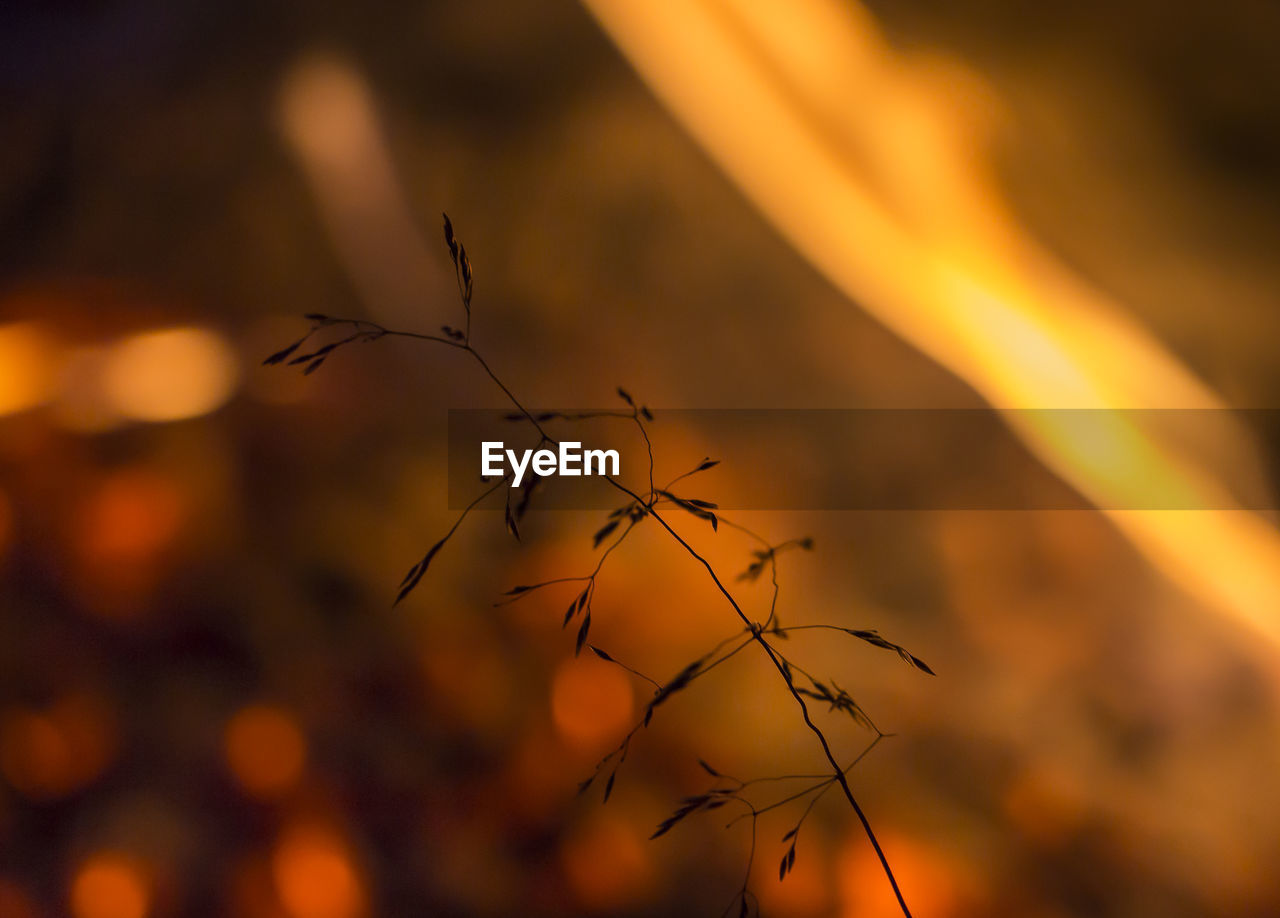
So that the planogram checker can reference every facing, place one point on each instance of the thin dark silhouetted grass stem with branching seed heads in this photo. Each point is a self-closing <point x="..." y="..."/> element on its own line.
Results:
<point x="651" y="504"/>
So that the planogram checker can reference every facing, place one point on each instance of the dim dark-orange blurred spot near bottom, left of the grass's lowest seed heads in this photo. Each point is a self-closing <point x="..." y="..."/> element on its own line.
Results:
<point x="607" y="864"/>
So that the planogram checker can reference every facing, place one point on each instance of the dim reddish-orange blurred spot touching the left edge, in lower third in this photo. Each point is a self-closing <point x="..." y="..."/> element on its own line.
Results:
<point x="54" y="752"/>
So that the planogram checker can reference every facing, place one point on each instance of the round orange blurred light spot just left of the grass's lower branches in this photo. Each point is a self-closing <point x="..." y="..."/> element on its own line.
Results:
<point x="592" y="702"/>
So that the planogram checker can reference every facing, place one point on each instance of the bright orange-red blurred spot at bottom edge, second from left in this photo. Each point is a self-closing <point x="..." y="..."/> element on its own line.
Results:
<point x="316" y="876"/>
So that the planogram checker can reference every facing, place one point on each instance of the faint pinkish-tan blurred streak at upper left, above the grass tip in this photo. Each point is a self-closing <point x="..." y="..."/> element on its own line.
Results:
<point x="328" y="118"/>
